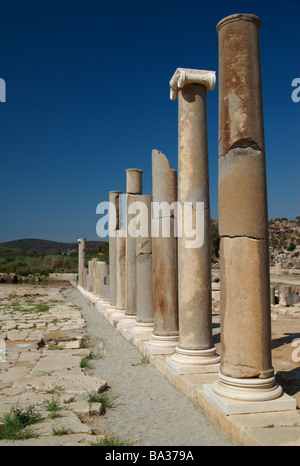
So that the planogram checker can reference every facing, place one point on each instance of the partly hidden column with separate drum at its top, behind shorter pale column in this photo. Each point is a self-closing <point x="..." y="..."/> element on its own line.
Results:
<point x="133" y="188"/>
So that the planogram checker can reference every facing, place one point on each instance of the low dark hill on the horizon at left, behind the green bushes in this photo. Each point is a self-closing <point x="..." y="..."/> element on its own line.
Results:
<point x="34" y="244"/>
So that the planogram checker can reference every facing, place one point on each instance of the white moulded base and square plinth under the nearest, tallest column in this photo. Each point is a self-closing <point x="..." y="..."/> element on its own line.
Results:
<point x="242" y="396"/>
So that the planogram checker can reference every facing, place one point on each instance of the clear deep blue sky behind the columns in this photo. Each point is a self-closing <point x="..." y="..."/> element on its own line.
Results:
<point x="88" y="97"/>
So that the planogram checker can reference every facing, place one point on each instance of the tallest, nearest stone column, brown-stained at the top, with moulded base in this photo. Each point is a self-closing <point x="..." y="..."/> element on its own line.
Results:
<point x="246" y="371"/>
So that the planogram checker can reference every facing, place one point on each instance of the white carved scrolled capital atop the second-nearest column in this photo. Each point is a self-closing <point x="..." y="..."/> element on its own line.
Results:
<point x="183" y="76"/>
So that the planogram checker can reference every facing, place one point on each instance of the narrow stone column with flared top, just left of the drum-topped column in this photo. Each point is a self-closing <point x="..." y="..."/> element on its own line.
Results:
<point x="114" y="220"/>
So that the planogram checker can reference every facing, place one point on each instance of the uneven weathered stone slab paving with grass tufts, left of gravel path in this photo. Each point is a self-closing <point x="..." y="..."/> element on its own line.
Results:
<point x="42" y="342"/>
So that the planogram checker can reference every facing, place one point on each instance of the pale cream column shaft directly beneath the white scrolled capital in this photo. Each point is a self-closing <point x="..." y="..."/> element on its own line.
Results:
<point x="194" y="263"/>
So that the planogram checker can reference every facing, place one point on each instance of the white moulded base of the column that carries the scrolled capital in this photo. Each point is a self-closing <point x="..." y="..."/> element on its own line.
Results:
<point x="194" y="361"/>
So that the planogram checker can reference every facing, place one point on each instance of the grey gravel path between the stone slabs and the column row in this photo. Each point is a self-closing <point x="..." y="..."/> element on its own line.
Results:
<point x="148" y="409"/>
